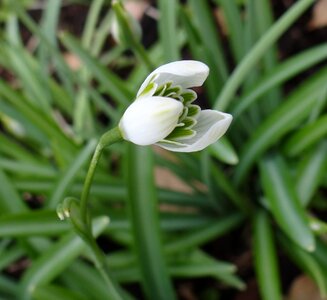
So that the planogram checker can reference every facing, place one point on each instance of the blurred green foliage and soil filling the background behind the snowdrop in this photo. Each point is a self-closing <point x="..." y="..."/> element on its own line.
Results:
<point x="243" y="219"/>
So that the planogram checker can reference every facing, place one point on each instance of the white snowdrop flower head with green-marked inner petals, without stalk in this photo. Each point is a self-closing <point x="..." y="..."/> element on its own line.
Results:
<point x="164" y="114"/>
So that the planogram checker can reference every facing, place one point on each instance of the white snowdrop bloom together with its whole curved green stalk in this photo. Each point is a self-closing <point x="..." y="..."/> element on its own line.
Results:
<point x="163" y="113"/>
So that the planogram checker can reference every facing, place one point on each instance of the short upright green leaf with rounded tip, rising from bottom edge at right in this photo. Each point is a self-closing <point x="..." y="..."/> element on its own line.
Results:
<point x="265" y="257"/>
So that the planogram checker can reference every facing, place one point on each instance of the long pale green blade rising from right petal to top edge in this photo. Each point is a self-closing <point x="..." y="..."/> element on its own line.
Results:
<point x="258" y="51"/>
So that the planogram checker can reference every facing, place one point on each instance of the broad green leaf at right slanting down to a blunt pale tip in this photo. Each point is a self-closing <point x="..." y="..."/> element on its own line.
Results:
<point x="284" y="203"/>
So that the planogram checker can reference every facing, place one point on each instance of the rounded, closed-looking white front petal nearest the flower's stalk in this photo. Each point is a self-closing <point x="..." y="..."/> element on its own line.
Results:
<point x="150" y="119"/>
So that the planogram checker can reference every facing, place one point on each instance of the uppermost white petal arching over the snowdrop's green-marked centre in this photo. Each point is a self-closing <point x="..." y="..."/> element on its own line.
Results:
<point x="186" y="73"/>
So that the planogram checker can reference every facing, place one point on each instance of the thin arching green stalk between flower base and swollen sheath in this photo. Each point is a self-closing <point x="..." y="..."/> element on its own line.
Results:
<point x="110" y="137"/>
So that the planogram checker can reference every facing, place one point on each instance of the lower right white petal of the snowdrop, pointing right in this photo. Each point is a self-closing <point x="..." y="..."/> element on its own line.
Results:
<point x="211" y="125"/>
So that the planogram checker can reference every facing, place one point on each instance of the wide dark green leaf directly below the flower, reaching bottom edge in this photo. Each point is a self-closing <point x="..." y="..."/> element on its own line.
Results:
<point x="145" y="223"/>
